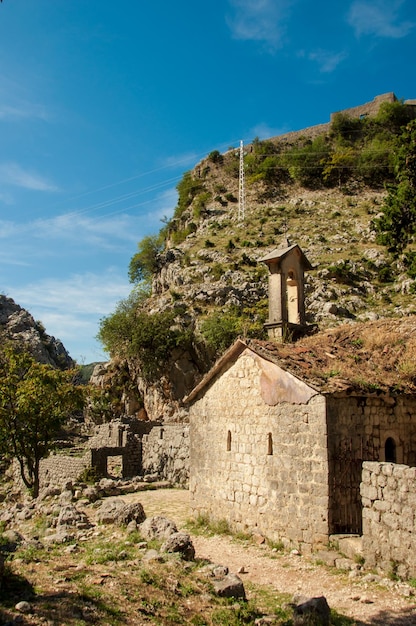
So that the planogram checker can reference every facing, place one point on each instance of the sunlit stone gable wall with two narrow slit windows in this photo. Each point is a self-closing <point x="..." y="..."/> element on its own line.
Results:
<point x="262" y="467"/>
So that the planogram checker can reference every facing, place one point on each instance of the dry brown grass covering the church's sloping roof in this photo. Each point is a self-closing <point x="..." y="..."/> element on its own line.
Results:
<point x="373" y="356"/>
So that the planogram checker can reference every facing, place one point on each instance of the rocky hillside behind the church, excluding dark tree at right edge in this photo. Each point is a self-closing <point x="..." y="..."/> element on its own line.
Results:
<point x="207" y="274"/>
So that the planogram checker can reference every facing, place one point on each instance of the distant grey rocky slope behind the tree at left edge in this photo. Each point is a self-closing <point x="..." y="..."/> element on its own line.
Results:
<point x="18" y="325"/>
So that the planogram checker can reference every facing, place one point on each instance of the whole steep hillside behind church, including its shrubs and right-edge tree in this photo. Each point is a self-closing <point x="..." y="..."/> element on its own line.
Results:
<point x="342" y="192"/>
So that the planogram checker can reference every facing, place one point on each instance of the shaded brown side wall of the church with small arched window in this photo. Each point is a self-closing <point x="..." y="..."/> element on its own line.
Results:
<point x="360" y="429"/>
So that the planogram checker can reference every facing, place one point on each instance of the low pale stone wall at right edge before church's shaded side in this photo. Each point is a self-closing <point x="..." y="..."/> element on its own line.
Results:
<point x="389" y="524"/>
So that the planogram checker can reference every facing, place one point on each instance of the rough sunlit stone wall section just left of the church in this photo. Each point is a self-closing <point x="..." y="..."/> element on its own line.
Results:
<point x="165" y="453"/>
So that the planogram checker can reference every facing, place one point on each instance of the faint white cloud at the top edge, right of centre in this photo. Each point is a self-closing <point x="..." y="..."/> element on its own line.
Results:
<point x="260" y="20"/>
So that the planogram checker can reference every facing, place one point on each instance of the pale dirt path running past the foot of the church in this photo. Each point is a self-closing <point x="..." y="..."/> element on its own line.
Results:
<point x="364" y="600"/>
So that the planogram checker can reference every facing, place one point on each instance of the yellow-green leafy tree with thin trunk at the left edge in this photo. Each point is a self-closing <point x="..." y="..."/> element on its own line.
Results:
<point x="35" y="401"/>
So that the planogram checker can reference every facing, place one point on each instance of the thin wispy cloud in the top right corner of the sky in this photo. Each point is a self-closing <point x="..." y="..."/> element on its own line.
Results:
<point x="380" y="18"/>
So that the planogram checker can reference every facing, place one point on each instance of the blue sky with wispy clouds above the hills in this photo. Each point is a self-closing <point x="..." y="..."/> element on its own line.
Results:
<point x="104" y="105"/>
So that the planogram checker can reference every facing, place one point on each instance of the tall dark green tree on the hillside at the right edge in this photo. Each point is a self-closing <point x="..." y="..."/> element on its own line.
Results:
<point x="397" y="226"/>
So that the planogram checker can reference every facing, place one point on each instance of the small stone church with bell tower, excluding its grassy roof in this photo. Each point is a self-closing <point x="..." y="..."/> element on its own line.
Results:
<point x="277" y="449"/>
